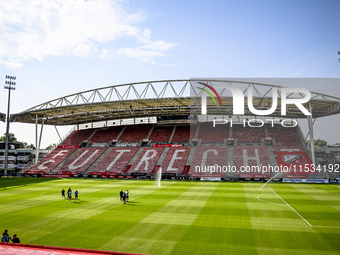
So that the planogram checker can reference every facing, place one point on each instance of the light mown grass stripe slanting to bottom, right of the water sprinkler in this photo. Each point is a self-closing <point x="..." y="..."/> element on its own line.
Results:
<point x="164" y="226"/>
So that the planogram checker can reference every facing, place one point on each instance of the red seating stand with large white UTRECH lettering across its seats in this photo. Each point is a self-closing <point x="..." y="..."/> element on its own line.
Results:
<point x="126" y="157"/>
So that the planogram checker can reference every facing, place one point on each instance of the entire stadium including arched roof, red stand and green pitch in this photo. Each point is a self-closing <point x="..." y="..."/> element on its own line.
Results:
<point x="200" y="181"/>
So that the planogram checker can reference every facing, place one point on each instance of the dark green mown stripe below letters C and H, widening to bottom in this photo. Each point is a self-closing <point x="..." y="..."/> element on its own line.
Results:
<point x="219" y="228"/>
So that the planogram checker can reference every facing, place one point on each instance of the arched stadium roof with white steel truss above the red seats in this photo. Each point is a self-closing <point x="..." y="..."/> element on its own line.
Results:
<point x="163" y="98"/>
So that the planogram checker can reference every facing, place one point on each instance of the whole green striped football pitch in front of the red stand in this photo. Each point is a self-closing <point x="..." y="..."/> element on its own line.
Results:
<point x="180" y="217"/>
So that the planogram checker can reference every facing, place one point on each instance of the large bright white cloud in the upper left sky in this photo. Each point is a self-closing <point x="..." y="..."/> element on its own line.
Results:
<point x="86" y="28"/>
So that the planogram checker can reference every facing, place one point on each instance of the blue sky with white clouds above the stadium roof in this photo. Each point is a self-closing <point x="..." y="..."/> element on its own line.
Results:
<point x="56" y="48"/>
